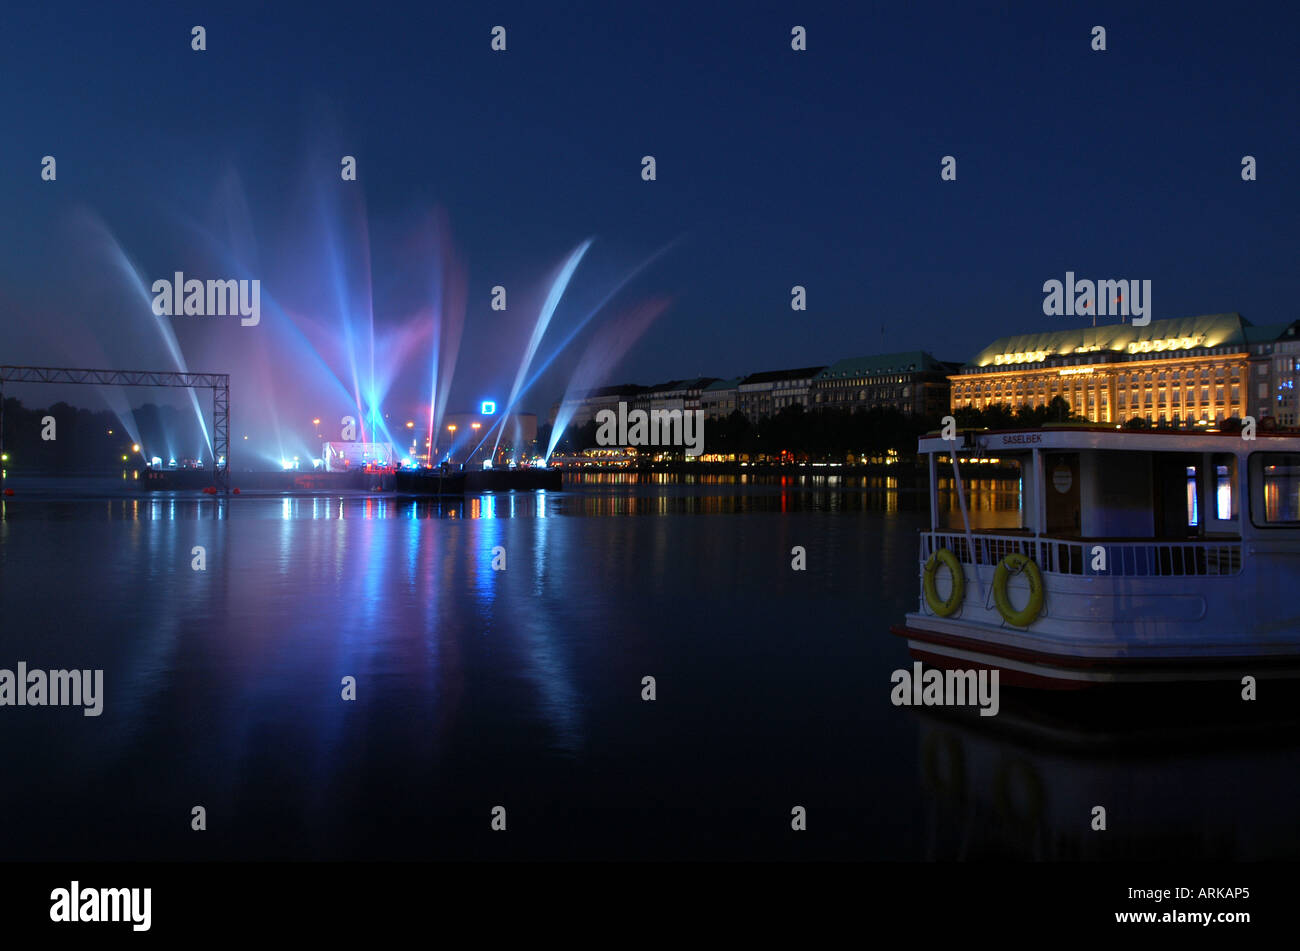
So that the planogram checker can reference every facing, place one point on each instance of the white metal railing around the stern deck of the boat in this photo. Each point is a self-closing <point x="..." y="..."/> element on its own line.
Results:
<point x="1094" y="557"/>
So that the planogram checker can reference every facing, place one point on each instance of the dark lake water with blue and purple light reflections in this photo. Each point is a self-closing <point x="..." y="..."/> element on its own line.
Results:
<point x="523" y="688"/>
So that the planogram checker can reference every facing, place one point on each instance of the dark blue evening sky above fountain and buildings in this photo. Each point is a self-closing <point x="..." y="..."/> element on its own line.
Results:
<point x="774" y="167"/>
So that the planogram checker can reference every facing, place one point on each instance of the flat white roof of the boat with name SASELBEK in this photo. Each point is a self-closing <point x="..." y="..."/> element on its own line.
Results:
<point x="1004" y="441"/>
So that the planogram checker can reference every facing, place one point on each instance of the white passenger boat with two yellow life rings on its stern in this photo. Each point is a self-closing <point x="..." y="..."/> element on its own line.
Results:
<point x="1138" y="557"/>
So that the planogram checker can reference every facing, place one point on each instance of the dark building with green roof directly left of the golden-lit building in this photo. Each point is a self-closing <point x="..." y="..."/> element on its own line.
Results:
<point x="913" y="383"/>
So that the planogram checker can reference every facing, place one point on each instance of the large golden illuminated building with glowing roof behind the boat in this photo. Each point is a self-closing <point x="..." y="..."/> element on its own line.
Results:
<point x="1193" y="371"/>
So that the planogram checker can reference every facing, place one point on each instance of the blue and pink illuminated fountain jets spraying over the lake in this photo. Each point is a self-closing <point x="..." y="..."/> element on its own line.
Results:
<point x="324" y="350"/>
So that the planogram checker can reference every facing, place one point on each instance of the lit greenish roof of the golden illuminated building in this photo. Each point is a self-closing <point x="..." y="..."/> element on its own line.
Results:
<point x="1181" y="333"/>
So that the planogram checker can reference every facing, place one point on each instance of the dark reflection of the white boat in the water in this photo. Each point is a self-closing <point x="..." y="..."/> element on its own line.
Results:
<point x="1025" y="784"/>
